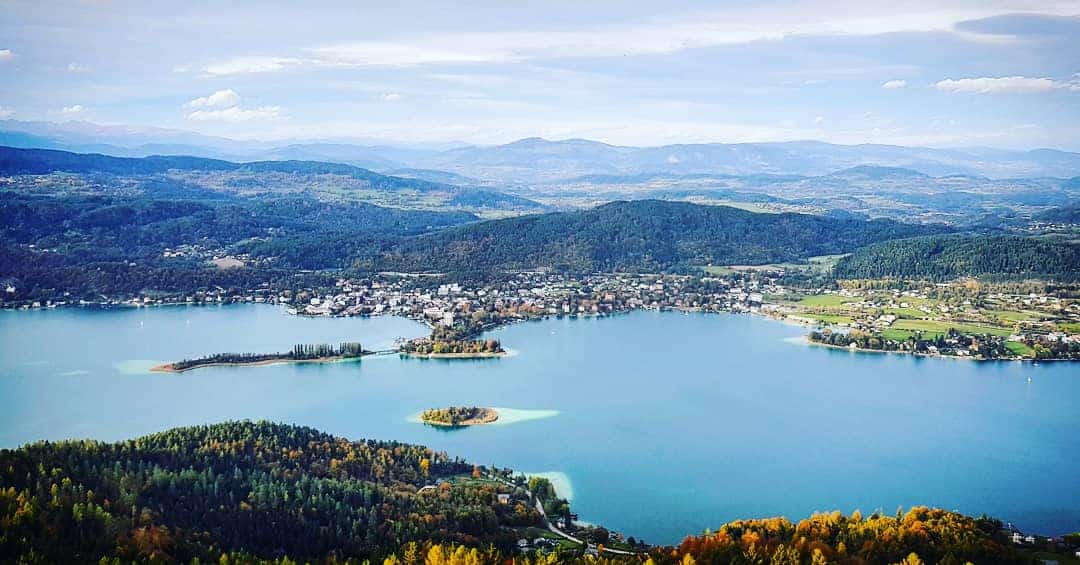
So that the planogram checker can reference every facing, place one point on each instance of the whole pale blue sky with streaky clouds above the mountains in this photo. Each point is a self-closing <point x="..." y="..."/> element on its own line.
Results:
<point x="998" y="74"/>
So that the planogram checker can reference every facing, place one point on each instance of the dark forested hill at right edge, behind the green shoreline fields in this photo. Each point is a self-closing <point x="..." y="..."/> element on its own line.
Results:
<point x="944" y="258"/>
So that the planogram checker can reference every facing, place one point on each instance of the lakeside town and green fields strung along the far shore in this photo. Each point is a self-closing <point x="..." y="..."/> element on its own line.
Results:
<point x="965" y="319"/>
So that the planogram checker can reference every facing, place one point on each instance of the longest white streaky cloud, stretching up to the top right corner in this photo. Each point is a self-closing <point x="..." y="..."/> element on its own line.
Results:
<point x="700" y="30"/>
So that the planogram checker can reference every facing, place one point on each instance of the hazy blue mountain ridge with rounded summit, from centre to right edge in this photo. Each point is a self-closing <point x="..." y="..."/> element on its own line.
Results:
<point x="536" y="159"/>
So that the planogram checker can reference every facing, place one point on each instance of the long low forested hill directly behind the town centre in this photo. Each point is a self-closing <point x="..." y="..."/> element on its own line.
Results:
<point x="644" y="235"/>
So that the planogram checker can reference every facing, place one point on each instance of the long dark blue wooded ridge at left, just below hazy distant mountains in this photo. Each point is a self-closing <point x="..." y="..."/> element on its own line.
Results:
<point x="16" y="162"/>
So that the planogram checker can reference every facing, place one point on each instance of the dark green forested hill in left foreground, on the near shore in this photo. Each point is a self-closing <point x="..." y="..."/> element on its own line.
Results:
<point x="267" y="491"/>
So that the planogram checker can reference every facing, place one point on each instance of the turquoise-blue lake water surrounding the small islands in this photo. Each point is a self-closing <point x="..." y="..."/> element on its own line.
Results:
<point x="661" y="425"/>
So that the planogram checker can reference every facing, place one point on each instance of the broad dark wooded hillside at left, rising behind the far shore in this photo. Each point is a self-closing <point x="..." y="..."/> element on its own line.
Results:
<point x="165" y="239"/>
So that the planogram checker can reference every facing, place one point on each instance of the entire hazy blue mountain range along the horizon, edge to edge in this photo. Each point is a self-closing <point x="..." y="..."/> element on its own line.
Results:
<point x="536" y="160"/>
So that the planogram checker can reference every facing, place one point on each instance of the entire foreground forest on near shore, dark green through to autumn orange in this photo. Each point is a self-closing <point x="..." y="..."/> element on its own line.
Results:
<point x="244" y="492"/>
